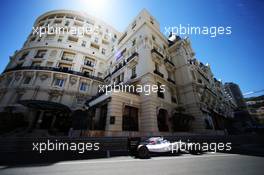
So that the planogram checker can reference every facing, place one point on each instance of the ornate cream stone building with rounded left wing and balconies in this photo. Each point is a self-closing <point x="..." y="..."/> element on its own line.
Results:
<point x="55" y="74"/>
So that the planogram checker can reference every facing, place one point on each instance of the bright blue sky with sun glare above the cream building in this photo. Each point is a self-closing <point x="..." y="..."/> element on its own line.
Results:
<point x="237" y="57"/>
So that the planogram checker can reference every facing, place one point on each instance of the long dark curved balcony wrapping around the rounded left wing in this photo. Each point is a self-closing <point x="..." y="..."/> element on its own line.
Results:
<point x="56" y="69"/>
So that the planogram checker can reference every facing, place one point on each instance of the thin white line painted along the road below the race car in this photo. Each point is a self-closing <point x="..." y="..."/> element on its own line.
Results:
<point x="135" y="160"/>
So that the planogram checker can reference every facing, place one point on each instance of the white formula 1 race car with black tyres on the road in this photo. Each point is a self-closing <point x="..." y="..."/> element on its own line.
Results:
<point x="158" y="146"/>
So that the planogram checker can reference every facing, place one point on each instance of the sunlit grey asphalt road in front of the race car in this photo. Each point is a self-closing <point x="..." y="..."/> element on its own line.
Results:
<point x="216" y="164"/>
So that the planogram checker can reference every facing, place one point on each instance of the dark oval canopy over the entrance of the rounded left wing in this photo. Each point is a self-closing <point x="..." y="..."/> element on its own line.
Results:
<point x="45" y="105"/>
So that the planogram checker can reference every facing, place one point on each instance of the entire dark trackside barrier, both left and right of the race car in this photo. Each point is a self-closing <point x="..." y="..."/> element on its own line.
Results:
<point x="19" y="150"/>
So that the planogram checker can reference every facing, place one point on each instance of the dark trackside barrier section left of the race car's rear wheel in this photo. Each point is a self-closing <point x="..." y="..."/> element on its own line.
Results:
<point x="20" y="150"/>
